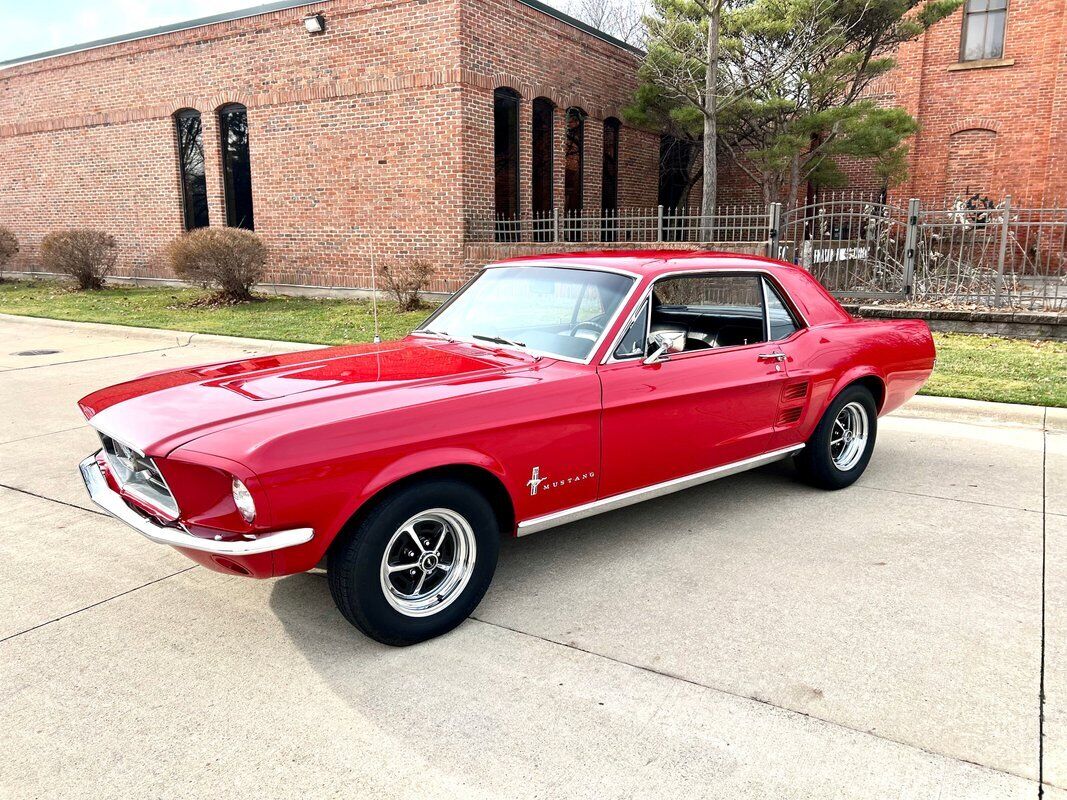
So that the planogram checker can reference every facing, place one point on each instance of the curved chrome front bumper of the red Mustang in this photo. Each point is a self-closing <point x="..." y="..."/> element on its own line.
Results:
<point x="101" y="493"/>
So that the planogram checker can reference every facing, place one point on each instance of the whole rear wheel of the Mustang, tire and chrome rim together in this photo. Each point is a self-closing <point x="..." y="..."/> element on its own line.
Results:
<point x="840" y="449"/>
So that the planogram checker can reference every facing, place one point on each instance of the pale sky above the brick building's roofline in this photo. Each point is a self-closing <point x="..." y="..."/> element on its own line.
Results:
<point x="35" y="26"/>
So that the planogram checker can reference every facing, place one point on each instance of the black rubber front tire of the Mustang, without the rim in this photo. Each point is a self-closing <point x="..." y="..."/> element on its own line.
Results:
<point x="355" y="566"/>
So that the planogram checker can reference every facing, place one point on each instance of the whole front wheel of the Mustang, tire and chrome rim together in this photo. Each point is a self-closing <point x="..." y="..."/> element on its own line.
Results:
<point x="418" y="565"/>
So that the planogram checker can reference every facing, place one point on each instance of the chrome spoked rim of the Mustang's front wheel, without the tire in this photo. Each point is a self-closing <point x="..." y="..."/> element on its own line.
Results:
<point x="456" y="538"/>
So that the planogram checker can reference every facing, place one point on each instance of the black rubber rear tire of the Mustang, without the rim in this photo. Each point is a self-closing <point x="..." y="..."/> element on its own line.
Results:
<point x="817" y="461"/>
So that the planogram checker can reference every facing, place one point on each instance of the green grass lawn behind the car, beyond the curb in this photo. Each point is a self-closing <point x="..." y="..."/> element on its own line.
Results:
<point x="968" y="366"/>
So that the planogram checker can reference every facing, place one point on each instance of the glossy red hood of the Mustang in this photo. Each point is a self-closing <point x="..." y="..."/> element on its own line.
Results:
<point x="163" y="411"/>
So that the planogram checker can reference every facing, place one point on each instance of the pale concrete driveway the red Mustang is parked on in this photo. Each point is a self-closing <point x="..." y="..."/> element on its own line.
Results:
<point x="751" y="638"/>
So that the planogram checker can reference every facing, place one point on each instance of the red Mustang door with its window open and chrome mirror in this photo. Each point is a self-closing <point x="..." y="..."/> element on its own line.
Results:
<point x="707" y="406"/>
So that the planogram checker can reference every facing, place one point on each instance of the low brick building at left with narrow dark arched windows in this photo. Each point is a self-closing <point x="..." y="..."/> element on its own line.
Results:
<point x="384" y="134"/>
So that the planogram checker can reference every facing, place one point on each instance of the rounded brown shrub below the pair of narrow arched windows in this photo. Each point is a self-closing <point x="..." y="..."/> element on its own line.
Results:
<point x="230" y="260"/>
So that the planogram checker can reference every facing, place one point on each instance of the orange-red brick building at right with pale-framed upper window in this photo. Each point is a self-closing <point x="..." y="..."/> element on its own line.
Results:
<point x="989" y="87"/>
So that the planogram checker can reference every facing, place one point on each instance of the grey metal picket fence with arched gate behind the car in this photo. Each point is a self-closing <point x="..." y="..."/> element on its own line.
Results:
<point x="858" y="247"/>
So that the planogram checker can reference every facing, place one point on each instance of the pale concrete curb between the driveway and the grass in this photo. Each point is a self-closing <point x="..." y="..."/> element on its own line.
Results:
<point x="949" y="409"/>
